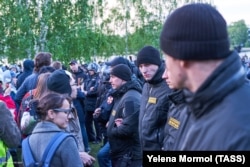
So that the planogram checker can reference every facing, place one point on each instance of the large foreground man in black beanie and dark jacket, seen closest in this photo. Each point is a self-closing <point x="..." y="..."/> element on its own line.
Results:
<point x="216" y="91"/>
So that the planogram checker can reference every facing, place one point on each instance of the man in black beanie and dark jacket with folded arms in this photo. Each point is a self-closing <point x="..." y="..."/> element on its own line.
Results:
<point x="122" y="128"/>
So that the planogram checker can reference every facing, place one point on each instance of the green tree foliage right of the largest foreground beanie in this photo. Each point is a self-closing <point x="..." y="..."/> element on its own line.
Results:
<point x="238" y="33"/>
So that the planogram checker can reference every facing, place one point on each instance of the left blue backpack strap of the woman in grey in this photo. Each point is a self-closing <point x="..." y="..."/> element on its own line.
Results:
<point x="27" y="154"/>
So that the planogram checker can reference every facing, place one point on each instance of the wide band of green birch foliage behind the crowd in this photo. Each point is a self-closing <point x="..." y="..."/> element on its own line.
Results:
<point x="80" y="29"/>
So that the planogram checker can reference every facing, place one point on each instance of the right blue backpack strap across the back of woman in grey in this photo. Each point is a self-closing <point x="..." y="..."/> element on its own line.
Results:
<point x="52" y="147"/>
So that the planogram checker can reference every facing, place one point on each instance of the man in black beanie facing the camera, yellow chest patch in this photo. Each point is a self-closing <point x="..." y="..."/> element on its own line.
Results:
<point x="154" y="101"/>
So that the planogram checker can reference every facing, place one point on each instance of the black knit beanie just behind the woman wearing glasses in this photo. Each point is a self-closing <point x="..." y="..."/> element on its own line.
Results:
<point x="59" y="82"/>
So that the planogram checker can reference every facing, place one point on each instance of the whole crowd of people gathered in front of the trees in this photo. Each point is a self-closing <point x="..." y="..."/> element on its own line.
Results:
<point x="194" y="97"/>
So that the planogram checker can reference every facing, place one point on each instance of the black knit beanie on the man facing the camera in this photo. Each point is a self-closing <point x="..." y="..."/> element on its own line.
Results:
<point x="148" y="55"/>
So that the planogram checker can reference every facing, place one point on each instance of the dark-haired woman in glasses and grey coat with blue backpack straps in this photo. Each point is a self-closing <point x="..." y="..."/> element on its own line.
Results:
<point x="54" y="110"/>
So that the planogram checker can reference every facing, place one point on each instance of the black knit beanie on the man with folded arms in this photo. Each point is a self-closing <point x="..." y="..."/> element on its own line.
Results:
<point x="122" y="71"/>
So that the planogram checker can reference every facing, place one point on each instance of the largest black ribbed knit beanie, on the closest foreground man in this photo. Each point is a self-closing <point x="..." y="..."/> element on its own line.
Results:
<point x="195" y="32"/>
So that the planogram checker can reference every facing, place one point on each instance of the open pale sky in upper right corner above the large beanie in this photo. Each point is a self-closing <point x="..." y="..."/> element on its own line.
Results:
<point x="234" y="10"/>
